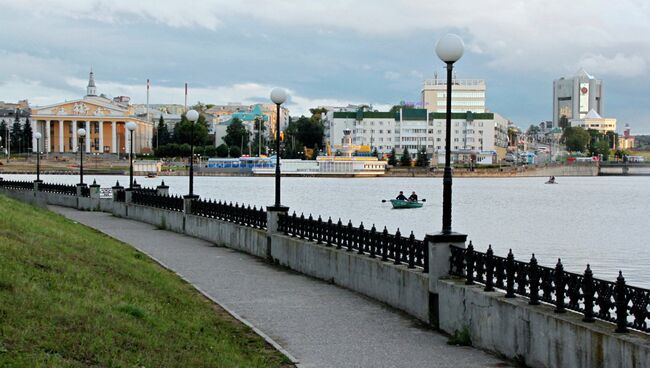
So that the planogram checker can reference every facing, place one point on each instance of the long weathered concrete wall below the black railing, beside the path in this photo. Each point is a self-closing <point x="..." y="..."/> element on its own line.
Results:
<point x="533" y="335"/>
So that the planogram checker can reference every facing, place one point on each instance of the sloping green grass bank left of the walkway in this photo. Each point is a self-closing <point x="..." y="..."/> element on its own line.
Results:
<point x="73" y="297"/>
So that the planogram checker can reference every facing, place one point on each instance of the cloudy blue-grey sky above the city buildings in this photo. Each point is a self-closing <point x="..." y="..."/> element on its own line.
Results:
<point x="326" y="52"/>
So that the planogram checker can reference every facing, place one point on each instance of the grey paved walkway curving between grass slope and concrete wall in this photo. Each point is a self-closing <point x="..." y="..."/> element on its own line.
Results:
<point x="320" y="324"/>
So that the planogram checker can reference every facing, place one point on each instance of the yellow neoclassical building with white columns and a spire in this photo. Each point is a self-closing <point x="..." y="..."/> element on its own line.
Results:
<point x="103" y="119"/>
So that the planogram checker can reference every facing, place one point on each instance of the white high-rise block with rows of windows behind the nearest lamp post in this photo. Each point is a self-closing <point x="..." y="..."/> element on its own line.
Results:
<point x="467" y="95"/>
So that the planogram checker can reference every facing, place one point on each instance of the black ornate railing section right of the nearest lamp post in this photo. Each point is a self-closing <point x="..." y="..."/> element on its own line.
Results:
<point x="627" y="306"/>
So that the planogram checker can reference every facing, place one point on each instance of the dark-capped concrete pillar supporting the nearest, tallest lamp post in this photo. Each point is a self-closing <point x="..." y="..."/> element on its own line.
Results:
<point x="438" y="247"/>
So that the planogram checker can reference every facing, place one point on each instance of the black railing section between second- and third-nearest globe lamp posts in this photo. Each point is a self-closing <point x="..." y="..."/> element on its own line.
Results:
<point x="239" y="214"/>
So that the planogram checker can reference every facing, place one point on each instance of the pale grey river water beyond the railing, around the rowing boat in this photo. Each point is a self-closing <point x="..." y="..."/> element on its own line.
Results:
<point x="602" y="221"/>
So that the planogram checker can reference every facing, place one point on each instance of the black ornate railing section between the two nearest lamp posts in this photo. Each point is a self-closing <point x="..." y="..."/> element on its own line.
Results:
<point x="377" y="244"/>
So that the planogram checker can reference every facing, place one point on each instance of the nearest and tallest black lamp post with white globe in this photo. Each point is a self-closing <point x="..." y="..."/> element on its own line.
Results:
<point x="449" y="49"/>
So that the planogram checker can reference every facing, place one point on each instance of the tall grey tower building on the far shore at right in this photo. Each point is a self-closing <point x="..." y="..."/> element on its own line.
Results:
<point x="574" y="97"/>
